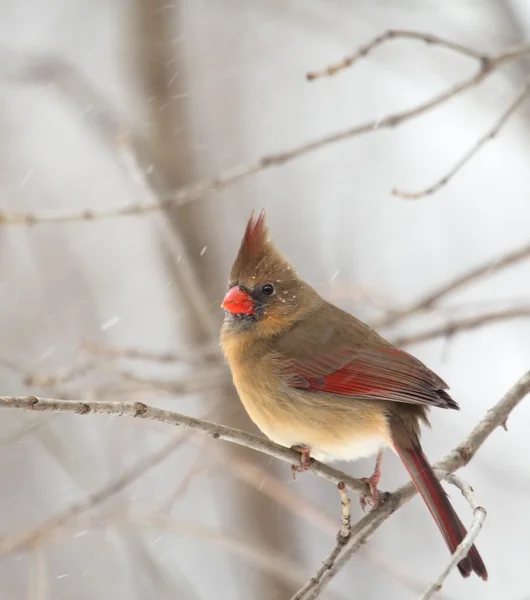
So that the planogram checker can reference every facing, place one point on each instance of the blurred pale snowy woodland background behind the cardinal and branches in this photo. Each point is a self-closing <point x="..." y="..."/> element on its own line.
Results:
<point x="109" y="104"/>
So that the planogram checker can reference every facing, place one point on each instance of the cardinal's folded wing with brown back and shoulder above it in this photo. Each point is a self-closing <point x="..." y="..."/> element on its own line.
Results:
<point x="350" y="359"/>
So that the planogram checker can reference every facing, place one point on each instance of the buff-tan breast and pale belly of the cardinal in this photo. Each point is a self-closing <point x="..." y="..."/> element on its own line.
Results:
<point x="334" y="427"/>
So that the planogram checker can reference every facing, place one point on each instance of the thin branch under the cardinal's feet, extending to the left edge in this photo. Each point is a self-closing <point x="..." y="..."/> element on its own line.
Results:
<point x="220" y="432"/>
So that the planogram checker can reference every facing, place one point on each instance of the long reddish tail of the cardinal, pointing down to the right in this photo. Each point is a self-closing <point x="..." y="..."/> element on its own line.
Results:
<point x="441" y="509"/>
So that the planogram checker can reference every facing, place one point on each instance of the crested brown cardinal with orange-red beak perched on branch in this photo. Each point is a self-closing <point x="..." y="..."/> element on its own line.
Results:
<point x="313" y="377"/>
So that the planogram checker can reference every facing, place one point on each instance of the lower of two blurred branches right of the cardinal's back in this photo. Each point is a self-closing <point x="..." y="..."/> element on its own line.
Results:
<point x="448" y="330"/>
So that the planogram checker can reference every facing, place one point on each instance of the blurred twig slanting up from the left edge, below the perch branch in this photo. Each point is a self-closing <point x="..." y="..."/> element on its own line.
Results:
<point x="28" y="538"/>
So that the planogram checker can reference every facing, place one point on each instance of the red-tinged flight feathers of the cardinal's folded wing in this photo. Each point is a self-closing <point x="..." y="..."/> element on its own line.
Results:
<point x="384" y="373"/>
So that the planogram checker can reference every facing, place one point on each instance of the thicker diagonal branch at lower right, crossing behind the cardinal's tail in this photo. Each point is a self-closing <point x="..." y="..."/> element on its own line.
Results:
<point x="459" y="457"/>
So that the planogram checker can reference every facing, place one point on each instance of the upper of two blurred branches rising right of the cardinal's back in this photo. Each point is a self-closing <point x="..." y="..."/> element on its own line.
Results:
<point x="431" y="299"/>
